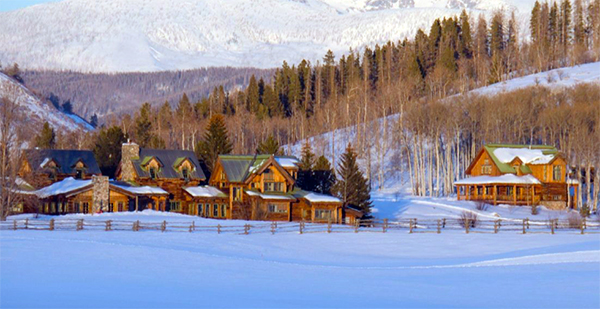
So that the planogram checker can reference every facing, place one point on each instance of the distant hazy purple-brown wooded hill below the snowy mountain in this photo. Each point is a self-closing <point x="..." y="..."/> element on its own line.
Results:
<point x="109" y="94"/>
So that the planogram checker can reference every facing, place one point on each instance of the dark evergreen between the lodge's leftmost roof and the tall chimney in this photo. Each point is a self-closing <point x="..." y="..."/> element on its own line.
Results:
<point x="107" y="149"/>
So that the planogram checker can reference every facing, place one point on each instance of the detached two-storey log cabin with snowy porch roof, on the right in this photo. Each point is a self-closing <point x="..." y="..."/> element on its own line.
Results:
<point x="518" y="175"/>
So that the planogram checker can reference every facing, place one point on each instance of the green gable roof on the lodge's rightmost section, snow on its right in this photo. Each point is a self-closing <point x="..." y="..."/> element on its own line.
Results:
<point x="238" y="168"/>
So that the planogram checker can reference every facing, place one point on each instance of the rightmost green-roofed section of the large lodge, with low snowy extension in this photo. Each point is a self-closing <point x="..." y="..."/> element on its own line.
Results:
<point x="262" y="187"/>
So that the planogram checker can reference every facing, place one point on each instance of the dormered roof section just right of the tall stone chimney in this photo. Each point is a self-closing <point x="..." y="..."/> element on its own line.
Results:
<point x="169" y="160"/>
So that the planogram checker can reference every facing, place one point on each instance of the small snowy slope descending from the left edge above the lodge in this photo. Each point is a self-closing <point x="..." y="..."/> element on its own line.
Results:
<point x="37" y="111"/>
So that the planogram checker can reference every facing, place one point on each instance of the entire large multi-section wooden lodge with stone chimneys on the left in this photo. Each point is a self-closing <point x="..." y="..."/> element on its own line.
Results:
<point x="250" y="187"/>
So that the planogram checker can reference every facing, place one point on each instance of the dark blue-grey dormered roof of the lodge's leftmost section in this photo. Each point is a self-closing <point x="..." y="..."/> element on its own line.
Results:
<point x="65" y="160"/>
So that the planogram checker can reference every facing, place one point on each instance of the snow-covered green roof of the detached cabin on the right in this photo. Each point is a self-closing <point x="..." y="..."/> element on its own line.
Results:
<point x="504" y="155"/>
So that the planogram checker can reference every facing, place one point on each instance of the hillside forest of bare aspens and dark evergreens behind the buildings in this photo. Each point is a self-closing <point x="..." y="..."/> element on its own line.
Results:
<point x="424" y="82"/>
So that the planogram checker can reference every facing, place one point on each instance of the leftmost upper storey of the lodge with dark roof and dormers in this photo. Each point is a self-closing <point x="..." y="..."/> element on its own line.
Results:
<point x="43" y="167"/>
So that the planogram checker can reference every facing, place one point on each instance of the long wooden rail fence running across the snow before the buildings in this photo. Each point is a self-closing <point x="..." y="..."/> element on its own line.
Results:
<point x="437" y="226"/>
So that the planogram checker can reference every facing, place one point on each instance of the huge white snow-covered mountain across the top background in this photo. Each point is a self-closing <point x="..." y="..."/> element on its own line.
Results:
<point x="156" y="35"/>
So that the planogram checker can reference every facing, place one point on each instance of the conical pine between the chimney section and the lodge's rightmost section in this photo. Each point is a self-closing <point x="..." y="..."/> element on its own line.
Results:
<point x="215" y="142"/>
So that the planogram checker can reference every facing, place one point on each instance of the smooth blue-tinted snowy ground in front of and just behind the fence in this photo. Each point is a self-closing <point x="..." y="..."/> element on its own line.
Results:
<point x="396" y="269"/>
